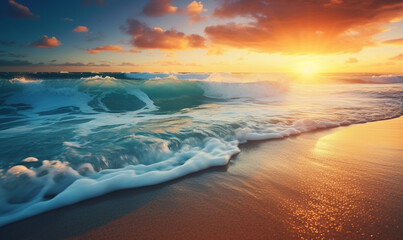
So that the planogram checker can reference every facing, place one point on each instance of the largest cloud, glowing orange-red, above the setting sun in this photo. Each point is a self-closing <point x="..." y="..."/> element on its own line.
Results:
<point x="303" y="27"/>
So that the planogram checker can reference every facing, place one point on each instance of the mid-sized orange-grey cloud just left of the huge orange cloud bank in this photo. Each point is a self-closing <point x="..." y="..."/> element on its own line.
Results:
<point x="144" y="37"/>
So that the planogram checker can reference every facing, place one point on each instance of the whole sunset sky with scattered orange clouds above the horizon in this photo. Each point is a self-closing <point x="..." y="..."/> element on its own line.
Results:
<point x="202" y="36"/>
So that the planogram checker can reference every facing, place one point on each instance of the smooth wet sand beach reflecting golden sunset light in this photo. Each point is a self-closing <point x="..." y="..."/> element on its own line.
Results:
<point x="344" y="183"/>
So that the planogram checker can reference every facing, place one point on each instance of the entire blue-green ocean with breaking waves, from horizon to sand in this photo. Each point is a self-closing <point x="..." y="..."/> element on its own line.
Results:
<point x="66" y="137"/>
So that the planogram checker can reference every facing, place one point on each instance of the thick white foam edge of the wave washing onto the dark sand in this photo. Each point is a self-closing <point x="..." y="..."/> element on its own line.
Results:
<point x="29" y="187"/>
